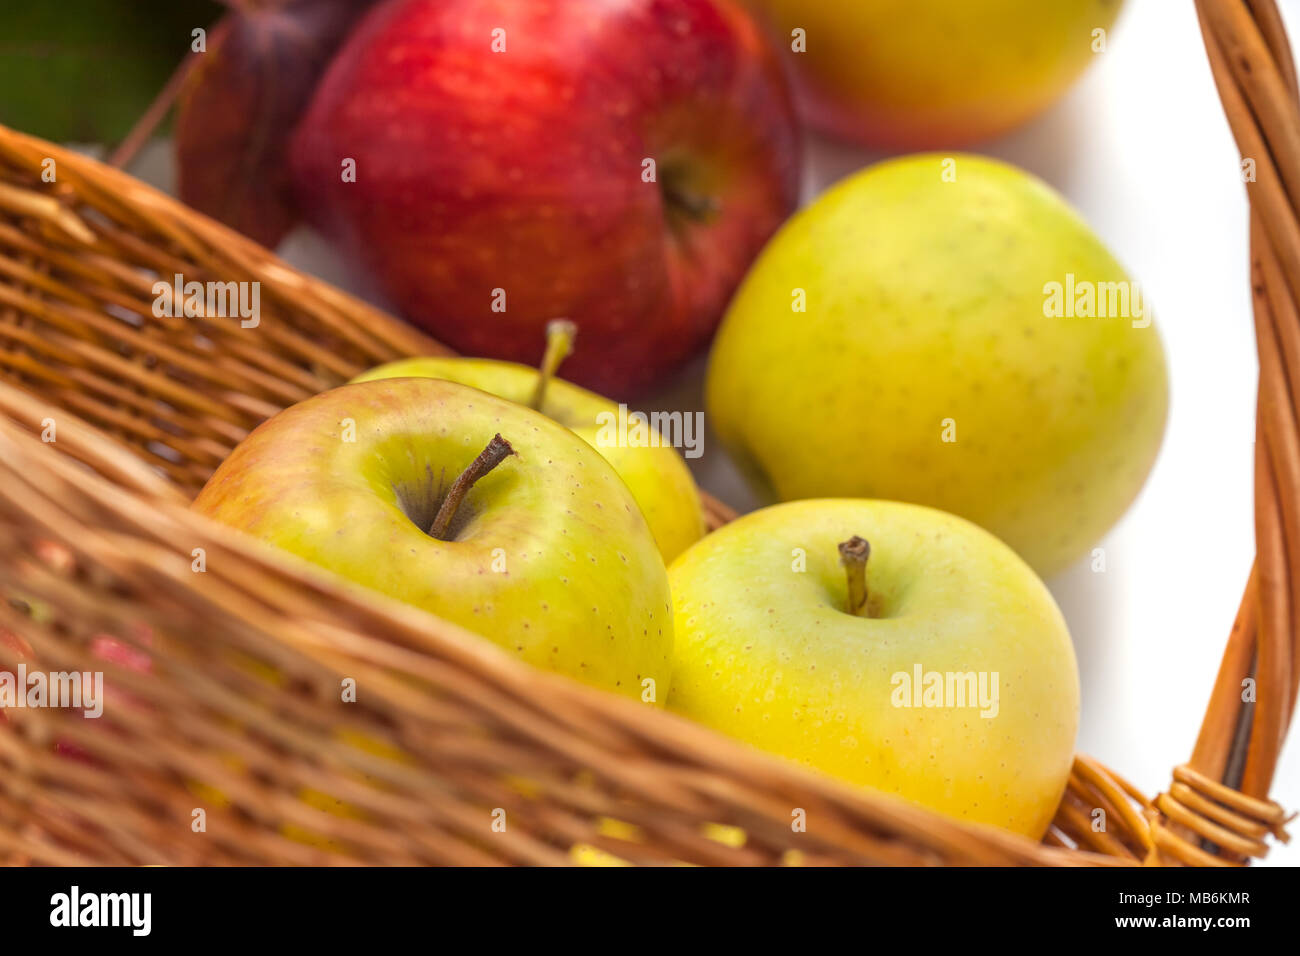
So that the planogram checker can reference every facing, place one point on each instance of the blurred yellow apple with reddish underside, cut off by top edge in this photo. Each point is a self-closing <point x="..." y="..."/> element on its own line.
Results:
<point x="912" y="75"/>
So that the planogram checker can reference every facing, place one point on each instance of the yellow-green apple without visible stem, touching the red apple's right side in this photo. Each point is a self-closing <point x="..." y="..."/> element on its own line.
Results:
<point x="968" y="343"/>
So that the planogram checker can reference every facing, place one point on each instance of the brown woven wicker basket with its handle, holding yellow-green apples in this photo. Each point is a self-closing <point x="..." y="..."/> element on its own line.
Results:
<point x="111" y="419"/>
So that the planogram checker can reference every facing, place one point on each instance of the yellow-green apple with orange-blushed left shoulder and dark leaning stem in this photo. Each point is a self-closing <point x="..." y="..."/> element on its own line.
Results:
<point x="480" y="511"/>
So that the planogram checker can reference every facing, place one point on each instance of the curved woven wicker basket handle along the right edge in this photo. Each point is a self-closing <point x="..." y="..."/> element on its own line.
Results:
<point x="1217" y="810"/>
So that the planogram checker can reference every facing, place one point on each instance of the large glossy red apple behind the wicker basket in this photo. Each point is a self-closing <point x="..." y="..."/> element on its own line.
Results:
<point x="522" y="171"/>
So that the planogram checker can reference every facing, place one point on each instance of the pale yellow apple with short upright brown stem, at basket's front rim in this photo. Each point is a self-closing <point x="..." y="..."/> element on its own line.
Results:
<point x="886" y="644"/>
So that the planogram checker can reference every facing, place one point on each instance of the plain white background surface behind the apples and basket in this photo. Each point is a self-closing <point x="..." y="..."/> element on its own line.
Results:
<point x="1142" y="149"/>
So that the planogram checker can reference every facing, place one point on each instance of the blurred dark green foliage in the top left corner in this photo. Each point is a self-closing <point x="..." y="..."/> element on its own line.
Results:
<point x="84" y="71"/>
